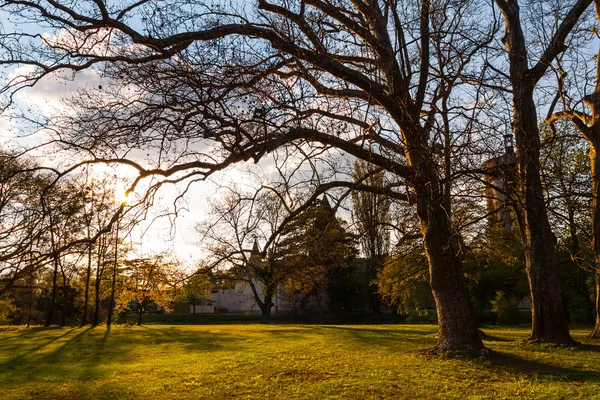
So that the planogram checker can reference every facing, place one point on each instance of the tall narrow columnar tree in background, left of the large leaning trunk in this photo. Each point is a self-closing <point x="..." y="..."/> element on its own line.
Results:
<point x="373" y="215"/>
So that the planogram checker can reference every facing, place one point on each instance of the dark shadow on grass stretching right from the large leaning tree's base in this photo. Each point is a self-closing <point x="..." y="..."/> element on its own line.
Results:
<point x="518" y="366"/>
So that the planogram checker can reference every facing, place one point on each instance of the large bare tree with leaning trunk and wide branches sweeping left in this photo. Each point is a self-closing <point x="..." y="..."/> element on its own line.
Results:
<point x="357" y="76"/>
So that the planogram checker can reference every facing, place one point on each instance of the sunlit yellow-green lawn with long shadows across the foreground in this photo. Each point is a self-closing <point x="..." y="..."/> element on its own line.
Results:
<point x="284" y="361"/>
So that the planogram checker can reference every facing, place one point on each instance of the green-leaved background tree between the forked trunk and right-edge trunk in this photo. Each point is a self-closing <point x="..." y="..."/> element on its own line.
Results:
<point x="567" y="180"/>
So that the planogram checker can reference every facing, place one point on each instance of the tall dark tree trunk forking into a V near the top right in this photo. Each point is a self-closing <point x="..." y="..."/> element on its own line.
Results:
<point x="550" y="323"/>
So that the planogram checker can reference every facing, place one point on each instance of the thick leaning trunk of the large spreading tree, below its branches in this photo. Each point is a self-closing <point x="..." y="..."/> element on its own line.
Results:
<point x="457" y="322"/>
